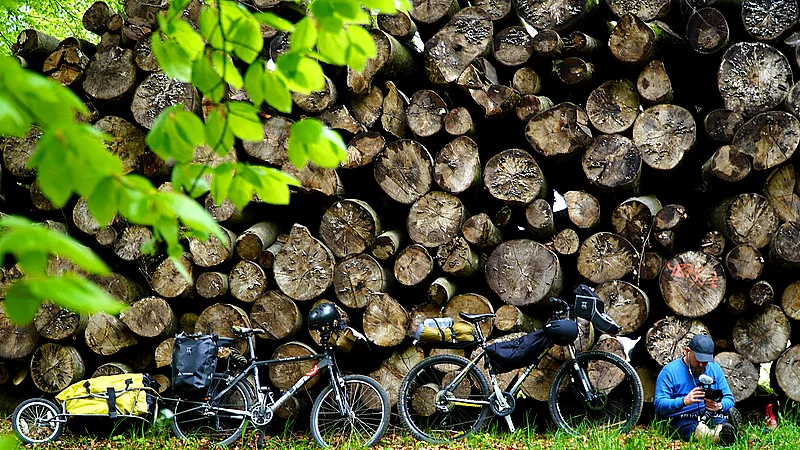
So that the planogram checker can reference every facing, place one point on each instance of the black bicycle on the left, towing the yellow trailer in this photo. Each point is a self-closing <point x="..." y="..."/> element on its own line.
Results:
<point x="352" y="409"/>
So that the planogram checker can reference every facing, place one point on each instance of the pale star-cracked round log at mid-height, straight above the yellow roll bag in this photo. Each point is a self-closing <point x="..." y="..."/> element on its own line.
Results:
<point x="435" y="219"/>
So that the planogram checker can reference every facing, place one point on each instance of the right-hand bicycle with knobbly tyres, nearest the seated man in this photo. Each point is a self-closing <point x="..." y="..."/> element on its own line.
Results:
<point x="447" y="397"/>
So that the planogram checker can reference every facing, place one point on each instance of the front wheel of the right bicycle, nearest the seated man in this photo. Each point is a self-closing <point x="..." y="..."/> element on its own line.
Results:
<point x="613" y="399"/>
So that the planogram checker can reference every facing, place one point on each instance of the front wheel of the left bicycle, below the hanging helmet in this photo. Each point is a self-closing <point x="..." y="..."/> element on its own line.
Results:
<point x="363" y="425"/>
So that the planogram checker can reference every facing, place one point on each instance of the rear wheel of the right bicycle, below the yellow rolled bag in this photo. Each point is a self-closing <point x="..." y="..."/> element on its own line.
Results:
<point x="443" y="422"/>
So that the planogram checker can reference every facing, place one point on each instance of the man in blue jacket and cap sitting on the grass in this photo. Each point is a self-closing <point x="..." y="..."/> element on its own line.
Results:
<point x="680" y="395"/>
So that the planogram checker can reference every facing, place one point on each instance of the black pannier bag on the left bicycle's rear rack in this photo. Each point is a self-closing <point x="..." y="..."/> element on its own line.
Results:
<point x="194" y="360"/>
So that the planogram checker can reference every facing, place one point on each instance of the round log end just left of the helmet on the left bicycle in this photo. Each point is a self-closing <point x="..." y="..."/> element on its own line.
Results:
<point x="277" y="314"/>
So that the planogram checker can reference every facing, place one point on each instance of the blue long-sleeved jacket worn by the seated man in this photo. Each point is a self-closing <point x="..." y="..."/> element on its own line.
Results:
<point x="675" y="381"/>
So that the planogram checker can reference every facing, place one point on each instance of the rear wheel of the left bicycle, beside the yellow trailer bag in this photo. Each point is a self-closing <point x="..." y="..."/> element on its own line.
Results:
<point x="205" y="420"/>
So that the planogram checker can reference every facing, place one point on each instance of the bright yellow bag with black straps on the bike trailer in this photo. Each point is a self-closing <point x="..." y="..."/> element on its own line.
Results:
<point x="124" y="394"/>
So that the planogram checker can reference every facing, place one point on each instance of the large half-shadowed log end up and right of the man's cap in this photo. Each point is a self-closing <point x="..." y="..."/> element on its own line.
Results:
<point x="762" y="336"/>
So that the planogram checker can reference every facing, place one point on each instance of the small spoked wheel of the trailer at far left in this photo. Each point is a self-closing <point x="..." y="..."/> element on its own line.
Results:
<point x="35" y="421"/>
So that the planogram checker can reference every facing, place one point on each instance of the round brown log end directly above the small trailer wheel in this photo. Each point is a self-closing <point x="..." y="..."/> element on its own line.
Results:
<point x="54" y="367"/>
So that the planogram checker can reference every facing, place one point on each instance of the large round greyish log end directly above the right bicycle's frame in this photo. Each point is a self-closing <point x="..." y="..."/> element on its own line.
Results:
<point x="523" y="272"/>
